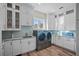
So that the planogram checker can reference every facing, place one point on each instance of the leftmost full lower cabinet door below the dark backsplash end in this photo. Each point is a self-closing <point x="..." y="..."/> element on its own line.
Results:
<point x="8" y="48"/>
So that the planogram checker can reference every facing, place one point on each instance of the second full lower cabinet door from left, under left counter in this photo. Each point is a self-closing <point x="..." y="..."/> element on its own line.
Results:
<point x="16" y="47"/>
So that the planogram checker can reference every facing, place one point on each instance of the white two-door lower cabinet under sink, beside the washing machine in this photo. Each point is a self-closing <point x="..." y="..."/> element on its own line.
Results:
<point x="28" y="44"/>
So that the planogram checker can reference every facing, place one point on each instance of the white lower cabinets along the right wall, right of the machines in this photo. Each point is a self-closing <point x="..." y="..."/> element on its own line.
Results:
<point x="64" y="42"/>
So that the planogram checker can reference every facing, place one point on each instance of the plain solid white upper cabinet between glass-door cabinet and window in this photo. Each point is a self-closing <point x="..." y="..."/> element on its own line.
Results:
<point x="27" y="13"/>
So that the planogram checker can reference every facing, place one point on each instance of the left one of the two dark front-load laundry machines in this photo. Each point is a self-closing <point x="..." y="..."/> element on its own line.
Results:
<point x="40" y="40"/>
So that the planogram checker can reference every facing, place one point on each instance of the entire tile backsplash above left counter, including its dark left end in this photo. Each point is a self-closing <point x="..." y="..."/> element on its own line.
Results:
<point x="25" y="31"/>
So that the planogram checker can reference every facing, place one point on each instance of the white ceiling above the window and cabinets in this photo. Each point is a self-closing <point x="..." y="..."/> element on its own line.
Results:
<point x="48" y="7"/>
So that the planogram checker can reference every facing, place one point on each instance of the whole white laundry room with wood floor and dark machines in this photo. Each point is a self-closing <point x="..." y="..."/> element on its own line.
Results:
<point x="39" y="29"/>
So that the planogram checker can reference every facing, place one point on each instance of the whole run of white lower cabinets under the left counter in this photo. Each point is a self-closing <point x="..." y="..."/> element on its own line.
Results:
<point x="15" y="47"/>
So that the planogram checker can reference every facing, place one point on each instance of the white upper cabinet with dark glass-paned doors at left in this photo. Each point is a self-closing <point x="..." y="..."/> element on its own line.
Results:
<point x="10" y="16"/>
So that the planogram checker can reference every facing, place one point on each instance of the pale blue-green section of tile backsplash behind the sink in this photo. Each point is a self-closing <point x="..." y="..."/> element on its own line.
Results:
<point x="25" y="31"/>
